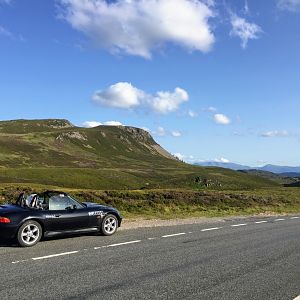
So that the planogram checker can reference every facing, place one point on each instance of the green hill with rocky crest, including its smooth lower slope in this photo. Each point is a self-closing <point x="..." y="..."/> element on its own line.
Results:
<point x="55" y="152"/>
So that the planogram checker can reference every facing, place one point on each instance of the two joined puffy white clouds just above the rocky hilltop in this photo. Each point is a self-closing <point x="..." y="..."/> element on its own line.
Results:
<point x="124" y="95"/>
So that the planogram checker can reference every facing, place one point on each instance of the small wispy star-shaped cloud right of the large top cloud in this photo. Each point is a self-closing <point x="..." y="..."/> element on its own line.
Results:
<point x="244" y="30"/>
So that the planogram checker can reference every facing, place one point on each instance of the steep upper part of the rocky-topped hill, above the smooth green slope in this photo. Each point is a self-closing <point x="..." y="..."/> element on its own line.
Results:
<point x="46" y="143"/>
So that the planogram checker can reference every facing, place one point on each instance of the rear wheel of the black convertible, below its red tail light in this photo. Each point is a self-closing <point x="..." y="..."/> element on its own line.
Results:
<point x="29" y="234"/>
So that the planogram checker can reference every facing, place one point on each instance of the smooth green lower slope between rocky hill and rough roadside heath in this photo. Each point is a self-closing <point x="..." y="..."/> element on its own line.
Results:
<point x="183" y="176"/>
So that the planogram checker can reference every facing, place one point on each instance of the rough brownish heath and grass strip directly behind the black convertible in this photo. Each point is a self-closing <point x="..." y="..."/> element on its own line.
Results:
<point x="177" y="203"/>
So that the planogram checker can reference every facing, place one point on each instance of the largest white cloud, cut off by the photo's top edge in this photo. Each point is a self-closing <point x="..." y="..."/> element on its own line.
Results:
<point x="137" y="27"/>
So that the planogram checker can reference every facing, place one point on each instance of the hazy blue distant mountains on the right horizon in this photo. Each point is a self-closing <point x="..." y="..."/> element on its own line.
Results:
<point x="289" y="171"/>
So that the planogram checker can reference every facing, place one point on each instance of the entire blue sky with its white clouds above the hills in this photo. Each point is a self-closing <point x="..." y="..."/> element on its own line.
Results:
<point x="211" y="80"/>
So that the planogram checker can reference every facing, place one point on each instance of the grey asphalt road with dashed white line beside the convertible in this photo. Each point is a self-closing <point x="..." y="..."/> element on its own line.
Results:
<point x="233" y="259"/>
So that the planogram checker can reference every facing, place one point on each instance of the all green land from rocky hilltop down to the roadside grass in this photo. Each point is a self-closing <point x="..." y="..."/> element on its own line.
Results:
<point x="126" y="168"/>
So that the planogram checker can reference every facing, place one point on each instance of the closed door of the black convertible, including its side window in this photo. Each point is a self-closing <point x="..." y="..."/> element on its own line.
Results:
<point x="65" y="214"/>
